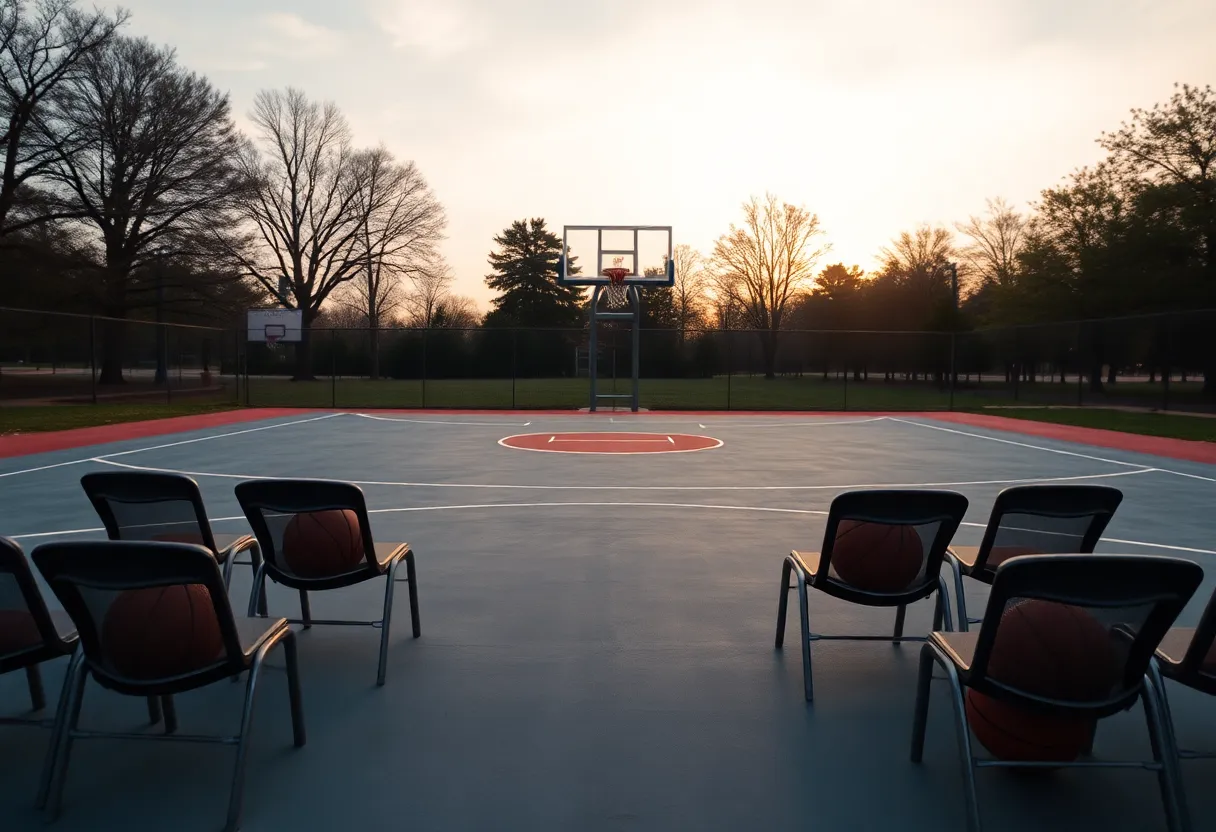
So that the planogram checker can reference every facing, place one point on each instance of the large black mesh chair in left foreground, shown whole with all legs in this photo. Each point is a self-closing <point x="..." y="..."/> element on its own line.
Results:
<point x="92" y="580"/>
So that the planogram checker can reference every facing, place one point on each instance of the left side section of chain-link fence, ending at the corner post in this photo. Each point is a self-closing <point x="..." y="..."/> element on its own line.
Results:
<point x="54" y="358"/>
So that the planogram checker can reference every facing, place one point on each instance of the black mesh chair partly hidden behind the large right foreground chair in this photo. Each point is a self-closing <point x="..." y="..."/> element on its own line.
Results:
<point x="1033" y="520"/>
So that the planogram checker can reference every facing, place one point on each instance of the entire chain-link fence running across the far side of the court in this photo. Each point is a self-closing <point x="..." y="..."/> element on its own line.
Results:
<point x="1157" y="362"/>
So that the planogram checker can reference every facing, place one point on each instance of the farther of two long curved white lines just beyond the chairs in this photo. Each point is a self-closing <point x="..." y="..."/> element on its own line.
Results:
<point x="657" y="488"/>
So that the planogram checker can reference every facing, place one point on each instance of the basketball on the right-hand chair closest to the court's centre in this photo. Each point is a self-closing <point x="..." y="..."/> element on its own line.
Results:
<point x="877" y="558"/>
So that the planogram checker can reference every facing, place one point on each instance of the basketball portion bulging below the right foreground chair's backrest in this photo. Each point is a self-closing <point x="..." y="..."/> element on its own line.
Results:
<point x="1012" y="733"/>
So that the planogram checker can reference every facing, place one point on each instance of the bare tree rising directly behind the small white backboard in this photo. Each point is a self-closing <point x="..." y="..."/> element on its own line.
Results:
<point x="305" y="212"/>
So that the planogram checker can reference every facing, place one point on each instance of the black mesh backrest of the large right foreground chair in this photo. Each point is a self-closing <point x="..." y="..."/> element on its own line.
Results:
<point x="1077" y="632"/>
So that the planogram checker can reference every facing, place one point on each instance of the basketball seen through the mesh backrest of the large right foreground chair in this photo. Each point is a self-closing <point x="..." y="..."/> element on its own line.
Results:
<point x="1056" y="651"/>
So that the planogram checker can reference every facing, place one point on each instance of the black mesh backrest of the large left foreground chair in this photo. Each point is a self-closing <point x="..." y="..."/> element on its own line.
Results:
<point x="148" y="614"/>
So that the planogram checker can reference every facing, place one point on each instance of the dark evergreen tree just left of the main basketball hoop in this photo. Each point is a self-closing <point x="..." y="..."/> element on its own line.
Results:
<point x="526" y="277"/>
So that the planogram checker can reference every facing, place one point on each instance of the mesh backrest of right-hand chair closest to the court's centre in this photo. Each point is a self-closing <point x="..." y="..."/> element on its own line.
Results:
<point x="927" y="520"/>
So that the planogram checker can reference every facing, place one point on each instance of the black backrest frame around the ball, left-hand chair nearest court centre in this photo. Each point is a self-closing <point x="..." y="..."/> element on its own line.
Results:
<point x="272" y="505"/>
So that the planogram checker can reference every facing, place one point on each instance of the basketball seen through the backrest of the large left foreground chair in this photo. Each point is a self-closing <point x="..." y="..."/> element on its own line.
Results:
<point x="162" y="632"/>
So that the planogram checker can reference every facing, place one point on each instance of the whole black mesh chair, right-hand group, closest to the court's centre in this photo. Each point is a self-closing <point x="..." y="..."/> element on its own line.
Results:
<point x="932" y="516"/>
